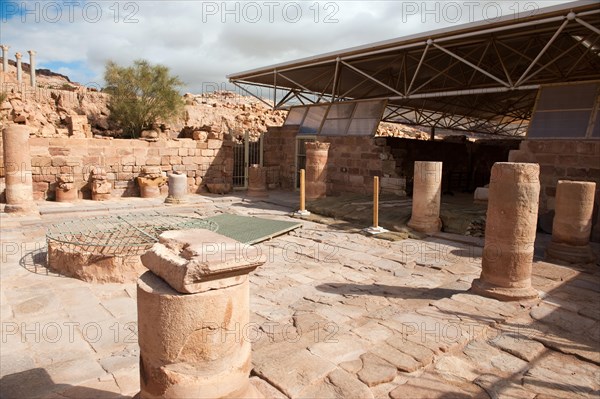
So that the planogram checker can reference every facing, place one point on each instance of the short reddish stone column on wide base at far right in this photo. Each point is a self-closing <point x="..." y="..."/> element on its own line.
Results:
<point x="572" y="224"/>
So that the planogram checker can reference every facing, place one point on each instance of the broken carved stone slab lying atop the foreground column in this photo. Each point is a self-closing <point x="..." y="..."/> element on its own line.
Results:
<point x="198" y="260"/>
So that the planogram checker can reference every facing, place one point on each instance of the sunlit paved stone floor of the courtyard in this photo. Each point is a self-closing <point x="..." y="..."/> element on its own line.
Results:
<point x="334" y="314"/>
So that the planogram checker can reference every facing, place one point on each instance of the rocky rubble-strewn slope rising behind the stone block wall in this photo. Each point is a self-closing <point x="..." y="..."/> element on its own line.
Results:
<point x="49" y="108"/>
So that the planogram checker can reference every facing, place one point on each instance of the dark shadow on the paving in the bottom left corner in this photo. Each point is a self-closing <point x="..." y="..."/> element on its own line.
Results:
<point x="37" y="383"/>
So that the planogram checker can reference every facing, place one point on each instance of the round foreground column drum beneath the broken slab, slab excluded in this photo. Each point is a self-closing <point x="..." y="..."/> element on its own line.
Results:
<point x="192" y="344"/>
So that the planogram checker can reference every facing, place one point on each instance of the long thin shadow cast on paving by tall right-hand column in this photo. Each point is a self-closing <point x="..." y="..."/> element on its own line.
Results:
<point x="388" y="291"/>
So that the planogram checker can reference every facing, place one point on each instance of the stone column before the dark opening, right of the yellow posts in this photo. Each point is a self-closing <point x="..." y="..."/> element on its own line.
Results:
<point x="427" y="192"/>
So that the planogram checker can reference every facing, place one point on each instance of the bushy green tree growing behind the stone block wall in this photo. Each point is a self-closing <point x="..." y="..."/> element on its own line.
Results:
<point x="141" y="94"/>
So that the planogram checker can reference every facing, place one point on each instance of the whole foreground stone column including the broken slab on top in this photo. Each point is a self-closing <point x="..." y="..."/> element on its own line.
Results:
<point x="193" y="317"/>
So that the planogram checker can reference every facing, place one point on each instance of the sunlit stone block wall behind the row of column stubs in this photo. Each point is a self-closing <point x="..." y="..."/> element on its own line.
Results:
<point x="208" y="161"/>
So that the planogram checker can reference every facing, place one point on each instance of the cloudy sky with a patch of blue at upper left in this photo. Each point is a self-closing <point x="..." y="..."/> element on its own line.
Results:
<point x="203" y="41"/>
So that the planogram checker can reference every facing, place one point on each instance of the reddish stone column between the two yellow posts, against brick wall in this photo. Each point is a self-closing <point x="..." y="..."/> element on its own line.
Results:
<point x="316" y="169"/>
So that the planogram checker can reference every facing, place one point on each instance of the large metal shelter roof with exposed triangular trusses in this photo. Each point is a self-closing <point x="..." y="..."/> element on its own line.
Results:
<point x="480" y="77"/>
